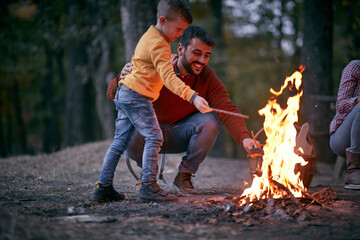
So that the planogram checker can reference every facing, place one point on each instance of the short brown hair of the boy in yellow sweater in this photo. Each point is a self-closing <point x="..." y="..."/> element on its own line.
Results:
<point x="169" y="9"/>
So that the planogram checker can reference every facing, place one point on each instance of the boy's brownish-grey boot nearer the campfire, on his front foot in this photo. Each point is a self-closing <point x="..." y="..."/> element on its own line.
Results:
<point x="151" y="192"/>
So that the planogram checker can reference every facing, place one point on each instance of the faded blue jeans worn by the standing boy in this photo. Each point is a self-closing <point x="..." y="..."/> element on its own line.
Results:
<point x="134" y="112"/>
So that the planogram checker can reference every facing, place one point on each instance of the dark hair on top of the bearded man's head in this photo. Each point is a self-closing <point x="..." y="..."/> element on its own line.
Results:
<point x="196" y="32"/>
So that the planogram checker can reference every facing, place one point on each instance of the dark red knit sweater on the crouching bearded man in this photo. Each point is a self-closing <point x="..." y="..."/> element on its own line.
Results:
<point x="170" y="108"/>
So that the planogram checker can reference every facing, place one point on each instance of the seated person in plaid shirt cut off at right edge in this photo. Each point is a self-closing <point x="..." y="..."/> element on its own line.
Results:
<point x="345" y="127"/>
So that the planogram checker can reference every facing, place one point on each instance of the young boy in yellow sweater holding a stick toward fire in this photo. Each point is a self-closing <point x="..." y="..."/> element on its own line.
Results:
<point x="151" y="70"/>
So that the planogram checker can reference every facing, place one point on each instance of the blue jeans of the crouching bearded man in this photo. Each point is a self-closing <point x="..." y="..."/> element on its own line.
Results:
<point x="195" y="135"/>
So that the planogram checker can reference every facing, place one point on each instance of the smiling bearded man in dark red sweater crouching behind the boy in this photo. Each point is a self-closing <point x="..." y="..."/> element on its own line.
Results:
<point x="184" y="128"/>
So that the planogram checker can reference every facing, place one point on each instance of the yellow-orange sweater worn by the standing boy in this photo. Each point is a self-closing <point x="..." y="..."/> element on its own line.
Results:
<point x="152" y="68"/>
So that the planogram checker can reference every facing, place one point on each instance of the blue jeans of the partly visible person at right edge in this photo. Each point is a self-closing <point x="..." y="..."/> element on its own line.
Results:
<point x="347" y="136"/>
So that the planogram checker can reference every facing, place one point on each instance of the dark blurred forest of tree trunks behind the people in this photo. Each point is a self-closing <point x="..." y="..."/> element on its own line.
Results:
<point x="56" y="58"/>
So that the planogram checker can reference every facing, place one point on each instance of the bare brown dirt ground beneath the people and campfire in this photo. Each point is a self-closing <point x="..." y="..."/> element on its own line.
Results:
<point x="48" y="197"/>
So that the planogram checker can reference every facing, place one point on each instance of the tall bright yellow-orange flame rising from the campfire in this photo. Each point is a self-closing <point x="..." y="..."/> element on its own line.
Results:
<point x="279" y="158"/>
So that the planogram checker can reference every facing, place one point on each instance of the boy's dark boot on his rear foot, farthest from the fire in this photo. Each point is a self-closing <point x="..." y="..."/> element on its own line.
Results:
<point x="106" y="194"/>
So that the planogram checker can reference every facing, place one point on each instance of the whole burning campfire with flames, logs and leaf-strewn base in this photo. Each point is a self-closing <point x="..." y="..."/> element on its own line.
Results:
<point x="281" y="169"/>
